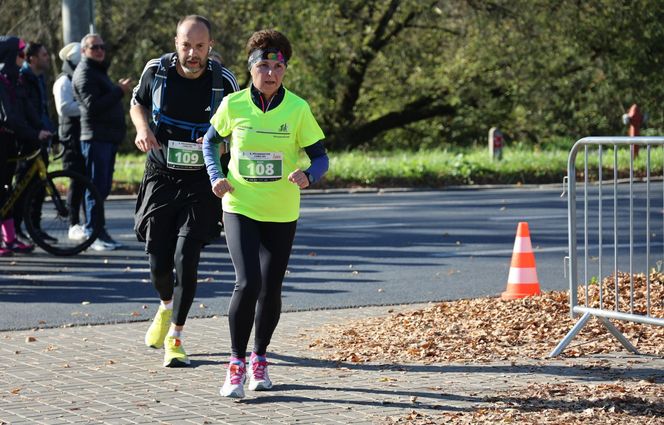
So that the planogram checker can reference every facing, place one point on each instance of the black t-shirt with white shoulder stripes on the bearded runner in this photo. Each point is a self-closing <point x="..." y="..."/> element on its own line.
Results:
<point x="184" y="100"/>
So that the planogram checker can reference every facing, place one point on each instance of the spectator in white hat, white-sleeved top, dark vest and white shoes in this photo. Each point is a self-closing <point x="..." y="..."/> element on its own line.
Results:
<point x="69" y="132"/>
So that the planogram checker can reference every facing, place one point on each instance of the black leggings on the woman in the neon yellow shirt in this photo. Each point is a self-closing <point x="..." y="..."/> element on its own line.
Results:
<point x="260" y="253"/>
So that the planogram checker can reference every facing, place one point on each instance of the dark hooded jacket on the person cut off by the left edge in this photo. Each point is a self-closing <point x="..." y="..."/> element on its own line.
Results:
<point x="16" y="115"/>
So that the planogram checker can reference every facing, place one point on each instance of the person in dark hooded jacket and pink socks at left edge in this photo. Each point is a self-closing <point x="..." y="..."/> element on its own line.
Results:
<point x="14" y="126"/>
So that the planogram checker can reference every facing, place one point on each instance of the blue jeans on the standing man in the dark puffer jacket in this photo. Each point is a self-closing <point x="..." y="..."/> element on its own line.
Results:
<point x="99" y="165"/>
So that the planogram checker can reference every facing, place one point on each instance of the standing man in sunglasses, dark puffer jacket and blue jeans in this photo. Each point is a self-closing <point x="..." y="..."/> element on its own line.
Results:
<point x="103" y="127"/>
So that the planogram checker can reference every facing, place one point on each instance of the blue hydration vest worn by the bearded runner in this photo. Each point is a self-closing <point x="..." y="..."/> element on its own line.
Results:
<point x="159" y="89"/>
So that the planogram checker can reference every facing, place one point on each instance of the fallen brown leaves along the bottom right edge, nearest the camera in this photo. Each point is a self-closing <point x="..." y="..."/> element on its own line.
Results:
<point x="619" y="404"/>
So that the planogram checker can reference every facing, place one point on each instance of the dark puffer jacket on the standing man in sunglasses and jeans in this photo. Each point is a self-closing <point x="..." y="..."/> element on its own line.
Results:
<point x="100" y="101"/>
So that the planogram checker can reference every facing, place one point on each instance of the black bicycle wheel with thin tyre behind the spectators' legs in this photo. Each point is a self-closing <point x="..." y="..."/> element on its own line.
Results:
<point x="47" y="212"/>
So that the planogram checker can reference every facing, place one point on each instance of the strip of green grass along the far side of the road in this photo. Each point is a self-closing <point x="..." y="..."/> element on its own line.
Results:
<point x="438" y="168"/>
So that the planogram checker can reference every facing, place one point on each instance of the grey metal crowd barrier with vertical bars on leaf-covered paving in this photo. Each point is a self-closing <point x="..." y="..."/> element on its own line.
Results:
<point x="632" y="239"/>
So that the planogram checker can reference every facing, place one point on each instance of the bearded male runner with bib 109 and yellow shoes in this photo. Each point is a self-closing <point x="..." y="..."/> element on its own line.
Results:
<point x="176" y="211"/>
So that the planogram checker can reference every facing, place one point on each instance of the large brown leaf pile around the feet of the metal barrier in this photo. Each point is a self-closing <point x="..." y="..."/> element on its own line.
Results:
<point x="488" y="329"/>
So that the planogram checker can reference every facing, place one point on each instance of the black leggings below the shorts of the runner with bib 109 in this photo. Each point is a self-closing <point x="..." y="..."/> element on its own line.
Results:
<point x="184" y="255"/>
